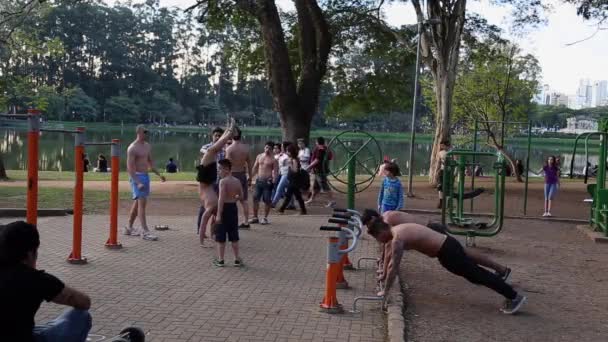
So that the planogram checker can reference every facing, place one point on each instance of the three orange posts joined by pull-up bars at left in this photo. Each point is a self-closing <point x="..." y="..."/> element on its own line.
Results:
<point x="33" y="118"/>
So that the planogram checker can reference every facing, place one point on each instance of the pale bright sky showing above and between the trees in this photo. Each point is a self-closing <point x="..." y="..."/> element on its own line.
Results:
<point x="562" y="66"/>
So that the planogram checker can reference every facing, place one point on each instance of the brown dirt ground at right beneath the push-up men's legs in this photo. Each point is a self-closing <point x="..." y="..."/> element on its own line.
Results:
<point x="562" y="273"/>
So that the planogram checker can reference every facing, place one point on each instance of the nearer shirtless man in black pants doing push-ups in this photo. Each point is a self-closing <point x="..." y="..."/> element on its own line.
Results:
<point x="449" y="253"/>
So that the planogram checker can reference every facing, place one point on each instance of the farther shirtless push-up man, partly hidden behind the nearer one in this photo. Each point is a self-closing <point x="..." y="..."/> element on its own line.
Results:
<point x="393" y="218"/>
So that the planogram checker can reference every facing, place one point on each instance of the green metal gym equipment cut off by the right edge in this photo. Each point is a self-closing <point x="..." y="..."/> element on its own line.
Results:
<point x="598" y="218"/>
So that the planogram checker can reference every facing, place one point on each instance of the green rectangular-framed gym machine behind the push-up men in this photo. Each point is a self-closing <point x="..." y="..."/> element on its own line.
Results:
<point x="457" y="217"/>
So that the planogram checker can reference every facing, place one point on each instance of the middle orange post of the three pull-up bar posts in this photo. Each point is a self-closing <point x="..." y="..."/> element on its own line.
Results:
<point x="76" y="255"/>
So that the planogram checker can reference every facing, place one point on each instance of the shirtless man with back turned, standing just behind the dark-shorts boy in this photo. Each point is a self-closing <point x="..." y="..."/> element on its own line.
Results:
<point x="238" y="154"/>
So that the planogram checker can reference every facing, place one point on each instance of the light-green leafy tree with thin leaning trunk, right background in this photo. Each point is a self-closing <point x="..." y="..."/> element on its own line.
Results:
<point x="495" y="83"/>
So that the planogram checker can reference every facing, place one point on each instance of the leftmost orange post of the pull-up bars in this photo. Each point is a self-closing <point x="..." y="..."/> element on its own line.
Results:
<point x="33" y="136"/>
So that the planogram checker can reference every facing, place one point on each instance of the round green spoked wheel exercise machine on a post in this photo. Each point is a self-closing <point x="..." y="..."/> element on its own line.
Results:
<point x="359" y="155"/>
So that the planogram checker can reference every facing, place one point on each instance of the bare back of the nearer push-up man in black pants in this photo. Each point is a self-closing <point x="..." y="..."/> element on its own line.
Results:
<point x="417" y="237"/>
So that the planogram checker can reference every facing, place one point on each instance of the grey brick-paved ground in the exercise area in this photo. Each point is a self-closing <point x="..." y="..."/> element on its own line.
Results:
<point x="170" y="289"/>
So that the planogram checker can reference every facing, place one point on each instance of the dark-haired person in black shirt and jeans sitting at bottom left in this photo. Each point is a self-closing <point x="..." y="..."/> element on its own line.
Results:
<point x="23" y="288"/>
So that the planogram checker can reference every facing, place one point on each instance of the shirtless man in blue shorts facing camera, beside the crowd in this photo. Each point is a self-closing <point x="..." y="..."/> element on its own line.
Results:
<point x="267" y="170"/>
